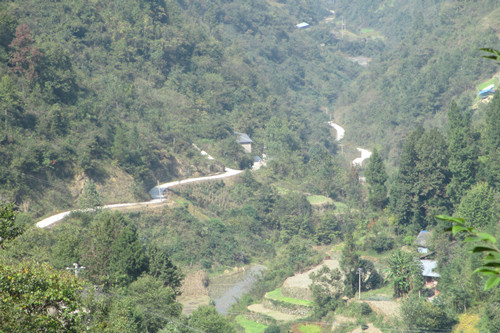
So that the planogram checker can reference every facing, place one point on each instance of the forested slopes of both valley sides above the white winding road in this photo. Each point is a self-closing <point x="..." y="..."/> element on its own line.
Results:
<point x="92" y="87"/>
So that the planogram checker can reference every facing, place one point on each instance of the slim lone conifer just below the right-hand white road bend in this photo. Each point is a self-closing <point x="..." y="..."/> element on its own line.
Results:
<point x="376" y="176"/>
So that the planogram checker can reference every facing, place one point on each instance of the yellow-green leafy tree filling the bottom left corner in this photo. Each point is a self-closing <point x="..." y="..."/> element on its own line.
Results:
<point x="36" y="298"/>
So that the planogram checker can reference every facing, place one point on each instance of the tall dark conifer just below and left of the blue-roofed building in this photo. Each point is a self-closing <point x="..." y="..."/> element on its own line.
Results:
<point x="463" y="154"/>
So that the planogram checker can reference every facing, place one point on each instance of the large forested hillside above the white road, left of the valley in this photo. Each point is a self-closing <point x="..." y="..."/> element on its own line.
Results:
<point x="133" y="84"/>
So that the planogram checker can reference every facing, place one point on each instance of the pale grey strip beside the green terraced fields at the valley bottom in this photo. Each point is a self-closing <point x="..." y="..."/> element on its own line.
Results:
<point x="228" y="294"/>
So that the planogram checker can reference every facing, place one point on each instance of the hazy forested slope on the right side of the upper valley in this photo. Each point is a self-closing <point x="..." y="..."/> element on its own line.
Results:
<point x="432" y="57"/>
